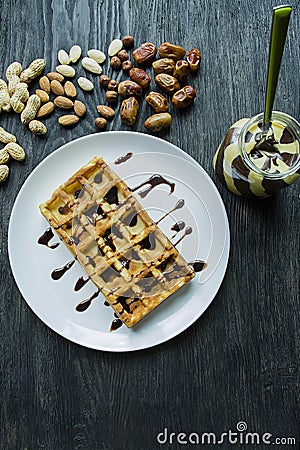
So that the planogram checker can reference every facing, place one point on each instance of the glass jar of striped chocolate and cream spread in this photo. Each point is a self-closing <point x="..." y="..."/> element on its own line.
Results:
<point x="254" y="167"/>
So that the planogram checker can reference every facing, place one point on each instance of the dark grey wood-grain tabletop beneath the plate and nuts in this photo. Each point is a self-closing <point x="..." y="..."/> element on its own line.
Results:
<point x="240" y="360"/>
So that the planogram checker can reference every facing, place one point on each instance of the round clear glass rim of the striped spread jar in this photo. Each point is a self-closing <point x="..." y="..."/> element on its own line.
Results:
<point x="283" y="117"/>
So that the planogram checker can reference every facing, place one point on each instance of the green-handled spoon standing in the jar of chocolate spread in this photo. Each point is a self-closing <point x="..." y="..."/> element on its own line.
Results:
<point x="281" y="17"/>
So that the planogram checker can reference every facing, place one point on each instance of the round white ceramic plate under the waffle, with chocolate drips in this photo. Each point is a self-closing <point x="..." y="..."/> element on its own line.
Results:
<point x="54" y="302"/>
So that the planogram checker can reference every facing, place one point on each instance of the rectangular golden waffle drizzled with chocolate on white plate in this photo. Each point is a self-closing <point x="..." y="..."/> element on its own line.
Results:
<point x="123" y="252"/>
